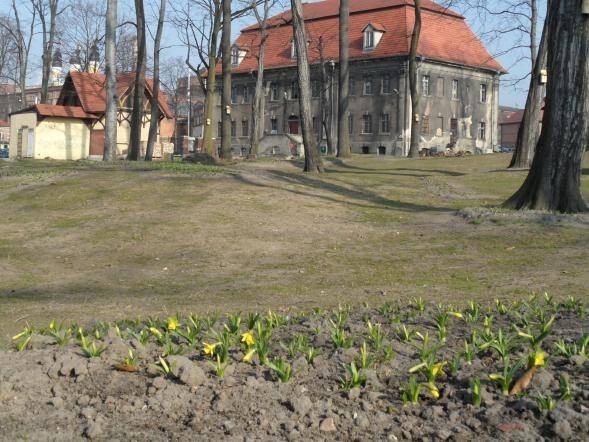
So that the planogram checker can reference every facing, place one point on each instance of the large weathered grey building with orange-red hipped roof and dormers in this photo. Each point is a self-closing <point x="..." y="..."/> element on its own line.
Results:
<point x="458" y="79"/>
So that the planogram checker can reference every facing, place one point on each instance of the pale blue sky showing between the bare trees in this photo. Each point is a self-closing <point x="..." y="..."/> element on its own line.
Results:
<point x="515" y="61"/>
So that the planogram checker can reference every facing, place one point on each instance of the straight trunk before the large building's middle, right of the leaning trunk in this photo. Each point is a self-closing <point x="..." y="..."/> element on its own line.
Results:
<point x="344" y="149"/>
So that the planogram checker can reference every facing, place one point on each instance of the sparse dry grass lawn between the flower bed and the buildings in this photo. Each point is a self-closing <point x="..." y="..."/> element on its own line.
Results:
<point x="83" y="241"/>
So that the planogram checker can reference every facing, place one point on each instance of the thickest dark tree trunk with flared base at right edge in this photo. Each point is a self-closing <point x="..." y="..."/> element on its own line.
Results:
<point x="554" y="180"/>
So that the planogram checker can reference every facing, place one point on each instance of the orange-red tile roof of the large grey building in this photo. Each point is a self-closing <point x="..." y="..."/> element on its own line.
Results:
<point x="445" y="35"/>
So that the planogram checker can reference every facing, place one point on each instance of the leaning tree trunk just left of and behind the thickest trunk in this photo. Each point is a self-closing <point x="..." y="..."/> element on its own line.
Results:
<point x="529" y="129"/>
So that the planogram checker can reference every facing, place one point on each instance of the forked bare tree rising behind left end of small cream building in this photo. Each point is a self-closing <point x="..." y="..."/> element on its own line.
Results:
<point x="48" y="11"/>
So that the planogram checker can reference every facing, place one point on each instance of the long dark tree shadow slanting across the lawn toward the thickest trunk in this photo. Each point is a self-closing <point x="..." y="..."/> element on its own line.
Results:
<point x="338" y="194"/>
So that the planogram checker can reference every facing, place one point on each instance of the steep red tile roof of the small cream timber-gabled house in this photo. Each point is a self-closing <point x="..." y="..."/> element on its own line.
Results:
<point x="91" y="90"/>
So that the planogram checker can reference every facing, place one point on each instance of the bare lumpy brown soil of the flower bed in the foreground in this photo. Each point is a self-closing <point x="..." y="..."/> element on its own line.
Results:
<point x="50" y="392"/>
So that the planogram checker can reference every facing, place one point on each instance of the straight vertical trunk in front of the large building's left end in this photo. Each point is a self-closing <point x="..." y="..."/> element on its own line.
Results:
<point x="226" y="78"/>
